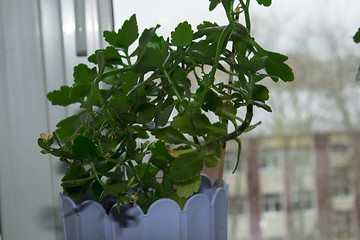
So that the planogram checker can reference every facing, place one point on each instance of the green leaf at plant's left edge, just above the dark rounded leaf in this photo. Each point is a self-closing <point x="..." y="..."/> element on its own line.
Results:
<point x="67" y="127"/>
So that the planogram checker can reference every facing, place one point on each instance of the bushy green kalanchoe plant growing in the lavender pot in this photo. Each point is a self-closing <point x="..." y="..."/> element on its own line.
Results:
<point x="143" y="130"/>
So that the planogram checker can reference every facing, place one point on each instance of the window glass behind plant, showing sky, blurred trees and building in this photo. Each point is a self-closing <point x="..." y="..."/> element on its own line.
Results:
<point x="307" y="151"/>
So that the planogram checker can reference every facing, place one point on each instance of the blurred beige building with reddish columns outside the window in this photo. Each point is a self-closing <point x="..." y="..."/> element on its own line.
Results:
<point x="294" y="187"/>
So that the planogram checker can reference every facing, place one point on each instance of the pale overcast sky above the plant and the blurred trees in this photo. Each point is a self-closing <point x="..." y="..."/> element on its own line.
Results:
<point x="282" y="27"/>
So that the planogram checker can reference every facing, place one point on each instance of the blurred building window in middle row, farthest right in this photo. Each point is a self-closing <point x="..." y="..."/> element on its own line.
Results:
<point x="341" y="182"/>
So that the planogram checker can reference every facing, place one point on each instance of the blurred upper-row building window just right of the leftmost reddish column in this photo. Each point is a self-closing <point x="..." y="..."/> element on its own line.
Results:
<point x="271" y="158"/>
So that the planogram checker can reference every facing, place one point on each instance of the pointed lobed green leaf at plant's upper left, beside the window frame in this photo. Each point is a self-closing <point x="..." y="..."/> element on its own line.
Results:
<point x="125" y="36"/>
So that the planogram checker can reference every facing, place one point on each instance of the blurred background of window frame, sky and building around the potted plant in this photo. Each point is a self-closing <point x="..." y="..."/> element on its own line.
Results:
<point x="299" y="174"/>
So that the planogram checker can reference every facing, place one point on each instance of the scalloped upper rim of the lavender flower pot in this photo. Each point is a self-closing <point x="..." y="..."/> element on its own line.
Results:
<point x="207" y="192"/>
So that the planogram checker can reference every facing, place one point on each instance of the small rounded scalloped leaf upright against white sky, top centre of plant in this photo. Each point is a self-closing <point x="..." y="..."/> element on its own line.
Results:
<point x="182" y="35"/>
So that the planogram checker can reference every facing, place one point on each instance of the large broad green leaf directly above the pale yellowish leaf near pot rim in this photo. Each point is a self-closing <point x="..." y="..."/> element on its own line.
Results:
<point x="187" y="166"/>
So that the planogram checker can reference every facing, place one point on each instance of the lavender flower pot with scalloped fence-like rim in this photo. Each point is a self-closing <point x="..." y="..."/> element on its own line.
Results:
<point x="204" y="217"/>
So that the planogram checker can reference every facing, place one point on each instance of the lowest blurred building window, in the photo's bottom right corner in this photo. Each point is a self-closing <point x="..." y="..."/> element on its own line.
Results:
<point x="343" y="224"/>
